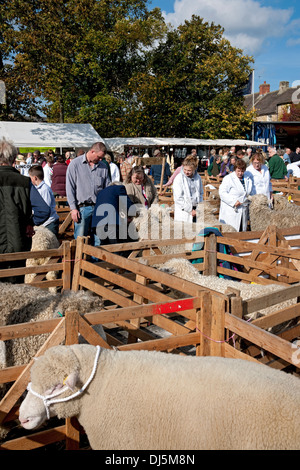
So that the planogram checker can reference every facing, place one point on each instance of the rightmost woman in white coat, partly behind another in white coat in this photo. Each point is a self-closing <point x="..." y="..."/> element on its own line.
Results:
<point x="260" y="175"/>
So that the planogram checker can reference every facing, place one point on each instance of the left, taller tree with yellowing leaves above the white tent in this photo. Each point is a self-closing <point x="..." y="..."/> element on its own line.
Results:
<point x="77" y="56"/>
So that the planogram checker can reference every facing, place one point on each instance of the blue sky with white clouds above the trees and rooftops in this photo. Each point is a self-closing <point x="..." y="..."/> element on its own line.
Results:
<point x="268" y="30"/>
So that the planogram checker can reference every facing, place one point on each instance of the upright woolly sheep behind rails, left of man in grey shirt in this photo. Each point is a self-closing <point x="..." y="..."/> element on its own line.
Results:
<point x="43" y="239"/>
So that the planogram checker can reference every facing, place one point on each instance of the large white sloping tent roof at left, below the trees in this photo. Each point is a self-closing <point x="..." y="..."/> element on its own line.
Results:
<point x="44" y="134"/>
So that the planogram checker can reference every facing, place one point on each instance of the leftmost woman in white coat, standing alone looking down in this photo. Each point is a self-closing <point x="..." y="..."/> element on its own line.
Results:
<point x="187" y="190"/>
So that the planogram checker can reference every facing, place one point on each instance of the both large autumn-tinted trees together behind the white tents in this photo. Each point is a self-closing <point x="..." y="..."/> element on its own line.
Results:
<point x="95" y="61"/>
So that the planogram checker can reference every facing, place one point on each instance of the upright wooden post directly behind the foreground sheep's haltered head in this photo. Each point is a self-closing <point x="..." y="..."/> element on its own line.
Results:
<point x="72" y="425"/>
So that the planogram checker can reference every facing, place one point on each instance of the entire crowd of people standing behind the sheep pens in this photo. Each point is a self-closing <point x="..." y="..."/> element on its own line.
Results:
<point x="104" y="193"/>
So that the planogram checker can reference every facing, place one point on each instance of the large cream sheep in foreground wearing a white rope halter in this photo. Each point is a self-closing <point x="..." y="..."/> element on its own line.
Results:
<point x="142" y="400"/>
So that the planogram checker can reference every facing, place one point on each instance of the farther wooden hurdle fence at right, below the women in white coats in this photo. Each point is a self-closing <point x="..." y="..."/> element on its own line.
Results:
<point x="268" y="257"/>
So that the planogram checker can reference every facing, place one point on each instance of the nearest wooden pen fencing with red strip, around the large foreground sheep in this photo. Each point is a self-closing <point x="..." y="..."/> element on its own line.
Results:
<point x="138" y="314"/>
